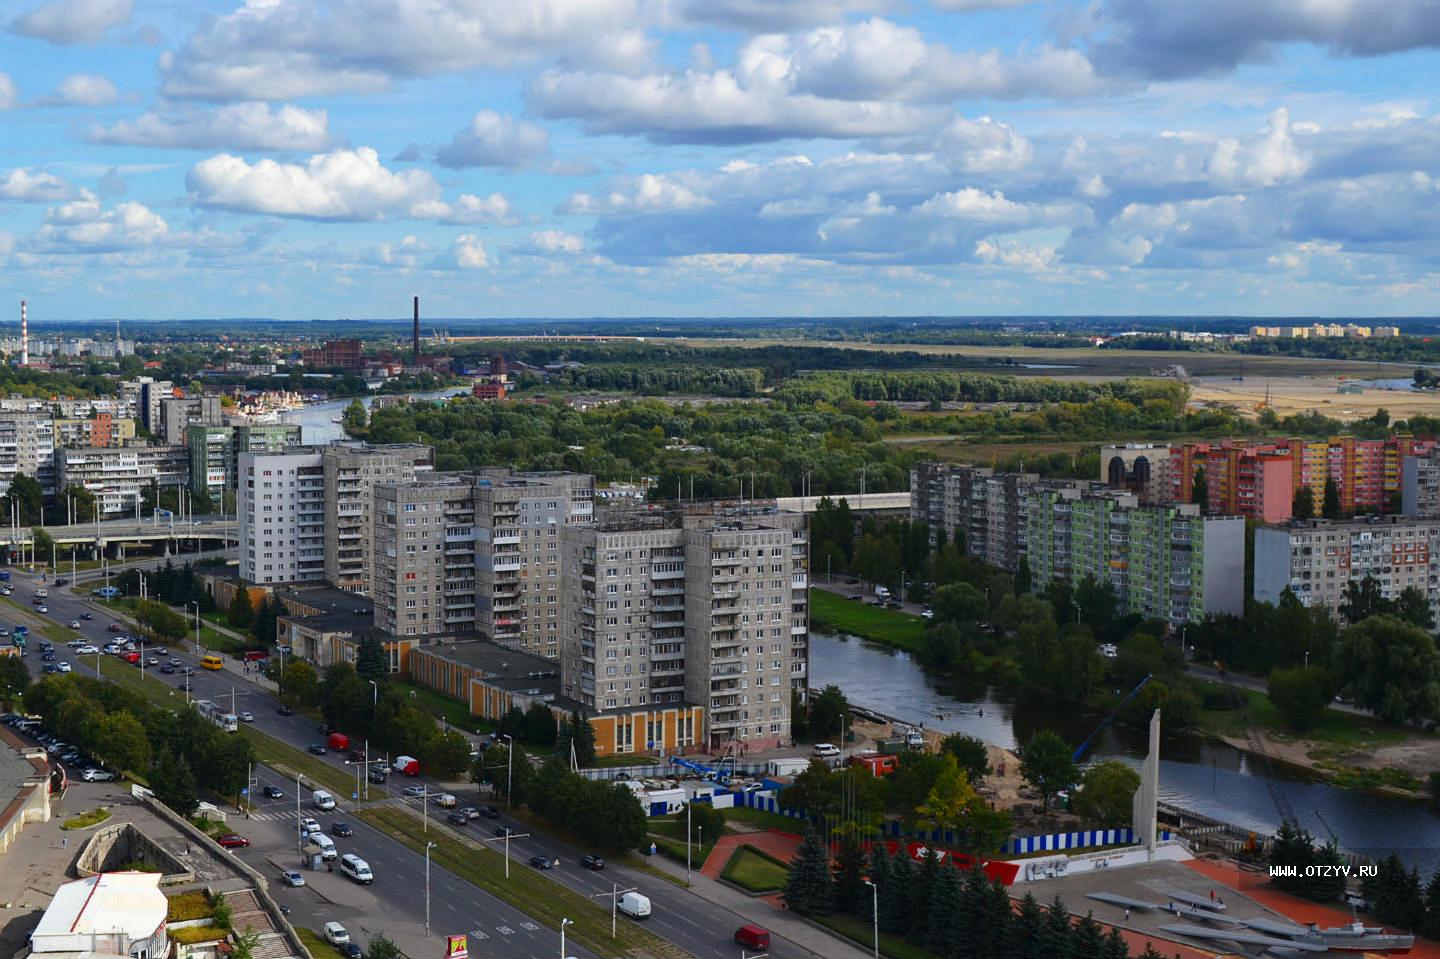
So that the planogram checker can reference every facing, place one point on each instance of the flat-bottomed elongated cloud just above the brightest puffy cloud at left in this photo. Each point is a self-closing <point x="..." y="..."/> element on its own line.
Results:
<point x="250" y="126"/>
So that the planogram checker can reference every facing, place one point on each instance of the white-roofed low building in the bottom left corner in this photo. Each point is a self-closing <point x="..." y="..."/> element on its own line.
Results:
<point x="107" y="915"/>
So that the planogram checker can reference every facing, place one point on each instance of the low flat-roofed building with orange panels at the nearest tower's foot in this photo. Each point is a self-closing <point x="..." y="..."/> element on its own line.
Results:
<point x="492" y="680"/>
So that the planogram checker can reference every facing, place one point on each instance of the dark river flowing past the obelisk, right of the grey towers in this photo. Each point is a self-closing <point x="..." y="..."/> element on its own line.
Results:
<point x="1197" y="775"/>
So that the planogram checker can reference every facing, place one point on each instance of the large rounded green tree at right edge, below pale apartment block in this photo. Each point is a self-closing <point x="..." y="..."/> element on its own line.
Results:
<point x="1392" y="669"/>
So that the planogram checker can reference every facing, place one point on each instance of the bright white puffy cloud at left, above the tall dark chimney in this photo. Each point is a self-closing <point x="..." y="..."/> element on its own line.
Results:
<point x="345" y="185"/>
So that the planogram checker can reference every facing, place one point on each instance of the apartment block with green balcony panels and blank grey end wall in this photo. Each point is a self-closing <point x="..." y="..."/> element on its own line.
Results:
<point x="1163" y="562"/>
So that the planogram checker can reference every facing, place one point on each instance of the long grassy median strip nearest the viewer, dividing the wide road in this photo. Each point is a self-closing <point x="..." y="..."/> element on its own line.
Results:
<point x="528" y="889"/>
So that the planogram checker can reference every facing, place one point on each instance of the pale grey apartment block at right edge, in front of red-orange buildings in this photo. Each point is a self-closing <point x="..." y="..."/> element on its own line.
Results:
<point x="1318" y="559"/>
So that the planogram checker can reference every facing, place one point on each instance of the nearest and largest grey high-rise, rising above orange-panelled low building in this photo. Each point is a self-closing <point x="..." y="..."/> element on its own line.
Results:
<point x="703" y="608"/>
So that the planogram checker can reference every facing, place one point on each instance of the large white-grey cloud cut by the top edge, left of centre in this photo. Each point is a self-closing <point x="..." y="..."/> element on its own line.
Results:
<point x="286" y="51"/>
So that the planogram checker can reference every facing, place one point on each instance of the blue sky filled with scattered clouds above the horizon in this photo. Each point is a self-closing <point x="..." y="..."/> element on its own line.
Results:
<point x="329" y="159"/>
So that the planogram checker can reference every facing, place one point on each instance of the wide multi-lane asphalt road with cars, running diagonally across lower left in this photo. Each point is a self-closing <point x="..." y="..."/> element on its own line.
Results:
<point x="398" y="896"/>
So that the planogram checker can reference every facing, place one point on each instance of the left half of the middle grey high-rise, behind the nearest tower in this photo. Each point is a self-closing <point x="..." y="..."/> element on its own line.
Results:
<point x="424" y="554"/>
